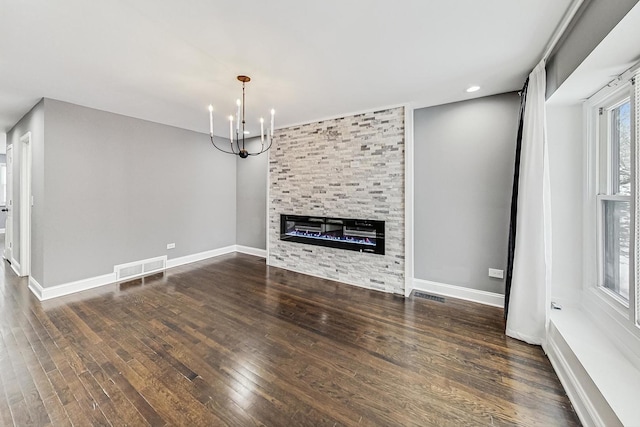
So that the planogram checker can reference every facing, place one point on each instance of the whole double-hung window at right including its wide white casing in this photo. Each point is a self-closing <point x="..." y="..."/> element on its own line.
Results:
<point x="612" y="210"/>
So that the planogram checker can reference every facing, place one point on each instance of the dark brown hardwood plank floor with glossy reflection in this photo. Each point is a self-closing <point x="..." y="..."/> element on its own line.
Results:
<point x="229" y="341"/>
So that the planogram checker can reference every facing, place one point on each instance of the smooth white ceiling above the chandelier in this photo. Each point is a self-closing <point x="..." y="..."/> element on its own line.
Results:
<point x="165" y="61"/>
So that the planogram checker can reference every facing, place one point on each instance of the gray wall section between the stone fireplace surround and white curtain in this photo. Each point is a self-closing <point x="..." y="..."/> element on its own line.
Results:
<point x="464" y="156"/>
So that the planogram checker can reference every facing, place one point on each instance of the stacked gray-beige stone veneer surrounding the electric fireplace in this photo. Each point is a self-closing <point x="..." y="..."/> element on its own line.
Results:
<point x="352" y="167"/>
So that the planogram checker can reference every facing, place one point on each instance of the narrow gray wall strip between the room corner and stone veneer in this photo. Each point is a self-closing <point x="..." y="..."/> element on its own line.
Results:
<point x="251" y="201"/>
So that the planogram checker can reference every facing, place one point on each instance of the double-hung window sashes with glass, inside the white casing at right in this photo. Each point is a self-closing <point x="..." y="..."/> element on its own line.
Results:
<point x="614" y="196"/>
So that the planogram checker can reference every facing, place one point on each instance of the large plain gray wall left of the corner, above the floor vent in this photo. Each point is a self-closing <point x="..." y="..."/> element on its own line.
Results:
<point x="118" y="189"/>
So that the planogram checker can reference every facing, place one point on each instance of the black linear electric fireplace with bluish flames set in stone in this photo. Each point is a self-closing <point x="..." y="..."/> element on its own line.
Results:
<point x="362" y="235"/>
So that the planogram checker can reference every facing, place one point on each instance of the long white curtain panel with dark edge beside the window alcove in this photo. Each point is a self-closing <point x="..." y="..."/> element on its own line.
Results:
<point x="529" y="271"/>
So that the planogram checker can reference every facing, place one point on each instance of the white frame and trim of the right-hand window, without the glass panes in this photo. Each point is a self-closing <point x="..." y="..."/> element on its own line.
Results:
<point x="617" y="317"/>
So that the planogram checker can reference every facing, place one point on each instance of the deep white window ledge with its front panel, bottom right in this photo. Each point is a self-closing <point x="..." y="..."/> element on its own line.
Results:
<point x="602" y="384"/>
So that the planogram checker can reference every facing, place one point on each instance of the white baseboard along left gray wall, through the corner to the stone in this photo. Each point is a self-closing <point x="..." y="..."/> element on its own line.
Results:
<point x="43" y="293"/>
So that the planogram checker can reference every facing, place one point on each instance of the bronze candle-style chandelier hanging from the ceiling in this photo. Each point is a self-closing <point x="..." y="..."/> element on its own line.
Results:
<point x="236" y="145"/>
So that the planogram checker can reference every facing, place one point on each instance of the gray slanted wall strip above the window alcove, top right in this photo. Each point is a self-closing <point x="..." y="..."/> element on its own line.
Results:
<point x="592" y="23"/>
